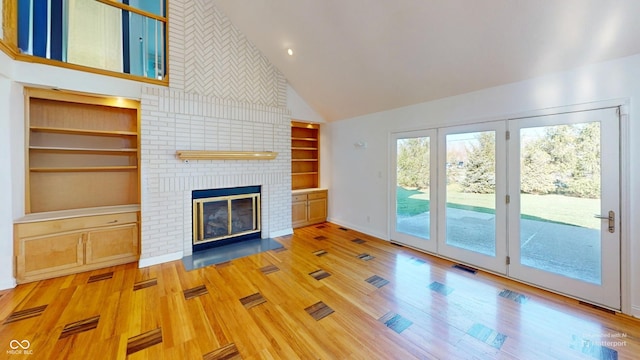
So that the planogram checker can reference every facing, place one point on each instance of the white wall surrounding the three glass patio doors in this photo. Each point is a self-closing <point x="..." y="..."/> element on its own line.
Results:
<point x="357" y="190"/>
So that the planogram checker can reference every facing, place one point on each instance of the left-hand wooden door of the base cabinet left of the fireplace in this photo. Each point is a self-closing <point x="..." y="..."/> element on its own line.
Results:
<point x="47" y="256"/>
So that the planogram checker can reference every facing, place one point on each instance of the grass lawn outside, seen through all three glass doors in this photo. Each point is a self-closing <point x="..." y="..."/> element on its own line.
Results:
<point x="551" y="208"/>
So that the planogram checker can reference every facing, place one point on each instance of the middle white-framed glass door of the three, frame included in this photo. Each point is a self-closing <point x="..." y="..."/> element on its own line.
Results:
<point x="472" y="189"/>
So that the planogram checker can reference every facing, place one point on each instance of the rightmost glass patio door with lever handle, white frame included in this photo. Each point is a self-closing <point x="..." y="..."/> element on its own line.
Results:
<point x="563" y="186"/>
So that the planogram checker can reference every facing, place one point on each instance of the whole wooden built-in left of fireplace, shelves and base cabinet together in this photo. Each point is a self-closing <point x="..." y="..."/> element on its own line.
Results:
<point x="82" y="192"/>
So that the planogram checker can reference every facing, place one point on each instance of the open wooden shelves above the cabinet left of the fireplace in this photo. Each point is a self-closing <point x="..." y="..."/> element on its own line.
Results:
<point x="82" y="151"/>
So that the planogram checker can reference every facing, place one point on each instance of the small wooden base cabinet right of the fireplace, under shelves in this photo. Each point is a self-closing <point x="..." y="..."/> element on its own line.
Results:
<point x="308" y="207"/>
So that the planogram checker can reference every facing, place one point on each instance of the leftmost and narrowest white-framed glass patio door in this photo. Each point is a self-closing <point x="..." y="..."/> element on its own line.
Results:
<point x="412" y="191"/>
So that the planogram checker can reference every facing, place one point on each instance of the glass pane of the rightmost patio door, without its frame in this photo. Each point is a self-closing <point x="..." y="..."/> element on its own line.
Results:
<point x="559" y="194"/>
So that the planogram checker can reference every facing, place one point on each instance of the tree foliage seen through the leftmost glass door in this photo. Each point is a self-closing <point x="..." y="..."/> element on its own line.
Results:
<point x="413" y="162"/>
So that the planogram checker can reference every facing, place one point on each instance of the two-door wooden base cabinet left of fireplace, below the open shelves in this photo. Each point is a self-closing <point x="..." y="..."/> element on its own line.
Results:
<point x="73" y="243"/>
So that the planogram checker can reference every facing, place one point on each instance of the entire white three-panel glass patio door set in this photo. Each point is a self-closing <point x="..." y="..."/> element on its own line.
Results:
<point x="536" y="199"/>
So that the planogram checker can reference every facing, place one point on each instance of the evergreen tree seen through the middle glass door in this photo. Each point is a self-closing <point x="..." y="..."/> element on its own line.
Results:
<point x="480" y="167"/>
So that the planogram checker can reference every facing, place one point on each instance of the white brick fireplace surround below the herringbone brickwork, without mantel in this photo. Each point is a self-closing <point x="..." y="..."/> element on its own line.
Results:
<point x="173" y="120"/>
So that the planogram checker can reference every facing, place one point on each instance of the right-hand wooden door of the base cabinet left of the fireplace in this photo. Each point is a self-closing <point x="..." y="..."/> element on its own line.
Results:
<point x="115" y="245"/>
